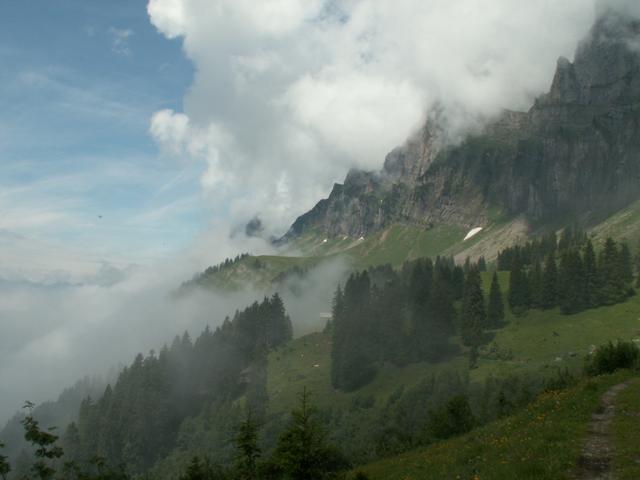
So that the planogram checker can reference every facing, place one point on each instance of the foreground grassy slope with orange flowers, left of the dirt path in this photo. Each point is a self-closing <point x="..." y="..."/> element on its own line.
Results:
<point x="541" y="442"/>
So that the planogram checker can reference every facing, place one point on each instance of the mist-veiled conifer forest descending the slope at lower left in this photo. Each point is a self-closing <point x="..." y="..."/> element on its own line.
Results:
<point x="136" y="421"/>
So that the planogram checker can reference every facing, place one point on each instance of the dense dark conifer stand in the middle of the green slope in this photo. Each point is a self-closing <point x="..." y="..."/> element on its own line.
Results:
<point x="383" y="315"/>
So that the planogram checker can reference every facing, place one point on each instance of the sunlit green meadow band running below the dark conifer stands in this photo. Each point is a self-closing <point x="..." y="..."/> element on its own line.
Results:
<point x="531" y="338"/>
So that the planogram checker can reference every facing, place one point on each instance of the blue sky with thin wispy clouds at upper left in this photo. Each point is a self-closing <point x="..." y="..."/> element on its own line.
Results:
<point x="79" y="82"/>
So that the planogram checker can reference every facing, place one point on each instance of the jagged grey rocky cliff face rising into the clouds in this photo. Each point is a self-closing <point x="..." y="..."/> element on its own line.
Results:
<point x="575" y="154"/>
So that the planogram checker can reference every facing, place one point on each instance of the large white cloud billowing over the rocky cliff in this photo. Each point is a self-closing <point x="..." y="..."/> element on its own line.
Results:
<point x="290" y="94"/>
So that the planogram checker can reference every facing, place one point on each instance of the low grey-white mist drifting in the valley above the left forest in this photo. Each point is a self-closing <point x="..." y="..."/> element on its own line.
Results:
<point x="52" y="335"/>
